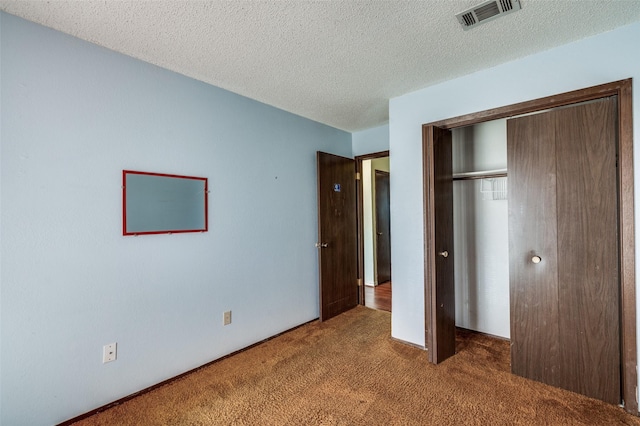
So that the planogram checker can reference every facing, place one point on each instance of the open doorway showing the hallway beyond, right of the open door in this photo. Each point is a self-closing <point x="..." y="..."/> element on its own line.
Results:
<point x="375" y="231"/>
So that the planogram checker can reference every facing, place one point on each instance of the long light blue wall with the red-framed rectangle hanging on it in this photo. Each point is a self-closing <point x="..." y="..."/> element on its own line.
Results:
<point x="75" y="115"/>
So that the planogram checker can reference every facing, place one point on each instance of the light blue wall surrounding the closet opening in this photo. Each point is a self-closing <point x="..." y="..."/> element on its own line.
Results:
<point x="596" y="60"/>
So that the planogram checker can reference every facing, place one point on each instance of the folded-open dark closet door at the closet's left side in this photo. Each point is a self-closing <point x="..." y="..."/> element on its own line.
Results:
<point x="440" y="324"/>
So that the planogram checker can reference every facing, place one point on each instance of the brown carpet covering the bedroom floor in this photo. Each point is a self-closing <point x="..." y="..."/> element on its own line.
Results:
<point x="348" y="371"/>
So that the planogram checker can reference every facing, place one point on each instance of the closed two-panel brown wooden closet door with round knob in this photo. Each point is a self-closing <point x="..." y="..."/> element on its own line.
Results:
<point x="564" y="266"/>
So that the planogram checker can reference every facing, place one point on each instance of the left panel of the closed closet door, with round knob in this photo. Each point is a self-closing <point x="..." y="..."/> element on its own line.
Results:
<point x="533" y="232"/>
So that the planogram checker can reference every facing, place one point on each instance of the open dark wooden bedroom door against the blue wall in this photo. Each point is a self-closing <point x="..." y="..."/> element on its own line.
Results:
<point x="337" y="235"/>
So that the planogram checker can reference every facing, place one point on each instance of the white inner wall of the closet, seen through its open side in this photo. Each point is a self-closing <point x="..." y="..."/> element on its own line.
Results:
<point x="481" y="244"/>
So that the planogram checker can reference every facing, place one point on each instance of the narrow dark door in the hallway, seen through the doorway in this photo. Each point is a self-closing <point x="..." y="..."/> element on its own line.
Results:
<point x="383" y="227"/>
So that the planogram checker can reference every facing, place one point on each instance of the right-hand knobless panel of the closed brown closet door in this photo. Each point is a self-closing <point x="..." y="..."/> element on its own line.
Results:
<point x="588" y="272"/>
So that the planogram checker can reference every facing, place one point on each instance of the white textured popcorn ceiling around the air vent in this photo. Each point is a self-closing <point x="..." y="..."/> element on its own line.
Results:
<point x="336" y="62"/>
